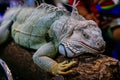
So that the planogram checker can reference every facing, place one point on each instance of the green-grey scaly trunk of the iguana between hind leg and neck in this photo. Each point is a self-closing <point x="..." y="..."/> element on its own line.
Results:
<point x="32" y="24"/>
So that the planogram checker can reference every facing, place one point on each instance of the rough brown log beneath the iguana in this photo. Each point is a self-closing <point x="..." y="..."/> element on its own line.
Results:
<point x="89" y="67"/>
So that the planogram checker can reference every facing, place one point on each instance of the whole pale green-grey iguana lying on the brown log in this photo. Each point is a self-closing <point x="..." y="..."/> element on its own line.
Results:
<point x="49" y="29"/>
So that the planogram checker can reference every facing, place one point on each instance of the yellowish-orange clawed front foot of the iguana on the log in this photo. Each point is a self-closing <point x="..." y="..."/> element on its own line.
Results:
<point x="59" y="68"/>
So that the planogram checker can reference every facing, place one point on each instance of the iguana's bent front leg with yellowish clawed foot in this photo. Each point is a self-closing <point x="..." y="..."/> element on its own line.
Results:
<point x="42" y="58"/>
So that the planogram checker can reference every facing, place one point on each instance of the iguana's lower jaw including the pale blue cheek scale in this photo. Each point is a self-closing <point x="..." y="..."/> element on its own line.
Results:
<point x="72" y="50"/>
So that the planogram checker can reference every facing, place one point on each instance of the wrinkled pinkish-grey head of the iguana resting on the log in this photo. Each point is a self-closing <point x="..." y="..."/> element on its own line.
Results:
<point x="80" y="37"/>
